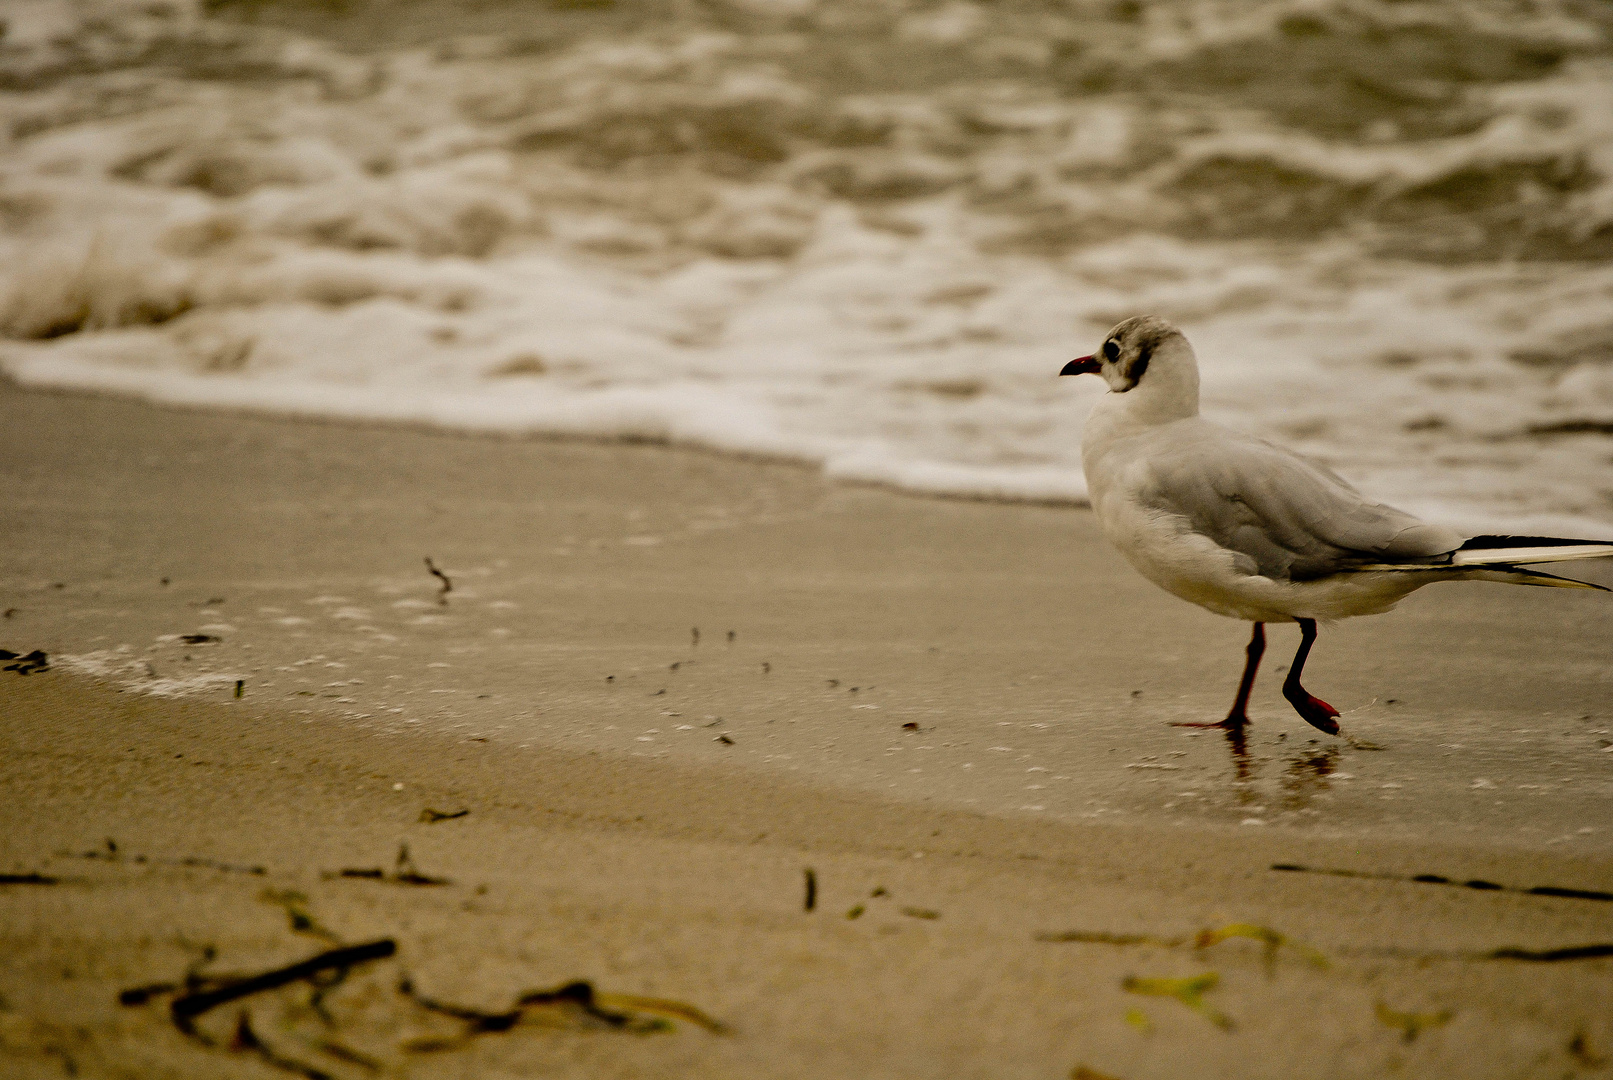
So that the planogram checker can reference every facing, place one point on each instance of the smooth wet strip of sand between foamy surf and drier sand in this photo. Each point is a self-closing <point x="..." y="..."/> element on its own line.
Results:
<point x="1040" y="671"/>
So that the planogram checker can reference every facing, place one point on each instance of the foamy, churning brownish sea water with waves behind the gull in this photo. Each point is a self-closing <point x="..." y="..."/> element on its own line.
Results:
<point x="852" y="233"/>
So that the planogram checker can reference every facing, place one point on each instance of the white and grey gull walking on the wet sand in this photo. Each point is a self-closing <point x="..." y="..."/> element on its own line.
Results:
<point x="1252" y="531"/>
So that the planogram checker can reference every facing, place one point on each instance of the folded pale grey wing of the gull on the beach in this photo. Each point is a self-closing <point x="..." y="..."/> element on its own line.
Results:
<point x="1288" y="518"/>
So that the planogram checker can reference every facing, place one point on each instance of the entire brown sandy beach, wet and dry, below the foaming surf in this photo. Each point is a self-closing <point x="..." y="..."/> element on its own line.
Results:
<point x="665" y="686"/>
